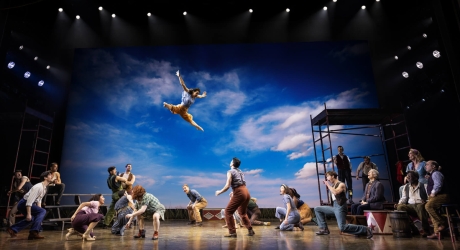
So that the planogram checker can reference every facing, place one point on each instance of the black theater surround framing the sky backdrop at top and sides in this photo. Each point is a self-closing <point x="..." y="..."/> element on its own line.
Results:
<point x="388" y="25"/>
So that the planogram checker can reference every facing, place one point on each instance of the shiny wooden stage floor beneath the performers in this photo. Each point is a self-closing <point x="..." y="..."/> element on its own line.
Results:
<point x="175" y="234"/>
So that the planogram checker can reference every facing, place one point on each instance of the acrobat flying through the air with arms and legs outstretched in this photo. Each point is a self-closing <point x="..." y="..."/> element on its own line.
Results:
<point x="188" y="98"/>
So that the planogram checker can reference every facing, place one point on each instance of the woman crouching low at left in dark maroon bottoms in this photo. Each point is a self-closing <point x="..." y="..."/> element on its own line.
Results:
<point x="86" y="217"/>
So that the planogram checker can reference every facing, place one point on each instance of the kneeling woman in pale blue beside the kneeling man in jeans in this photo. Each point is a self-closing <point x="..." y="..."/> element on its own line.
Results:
<point x="288" y="215"/>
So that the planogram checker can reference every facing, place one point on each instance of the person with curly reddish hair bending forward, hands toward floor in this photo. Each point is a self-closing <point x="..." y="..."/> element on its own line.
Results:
<point x="147" y="206"/>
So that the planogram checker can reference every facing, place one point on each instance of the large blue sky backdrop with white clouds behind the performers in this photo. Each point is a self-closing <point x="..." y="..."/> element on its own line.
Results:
<point x="260" y="98"/>
